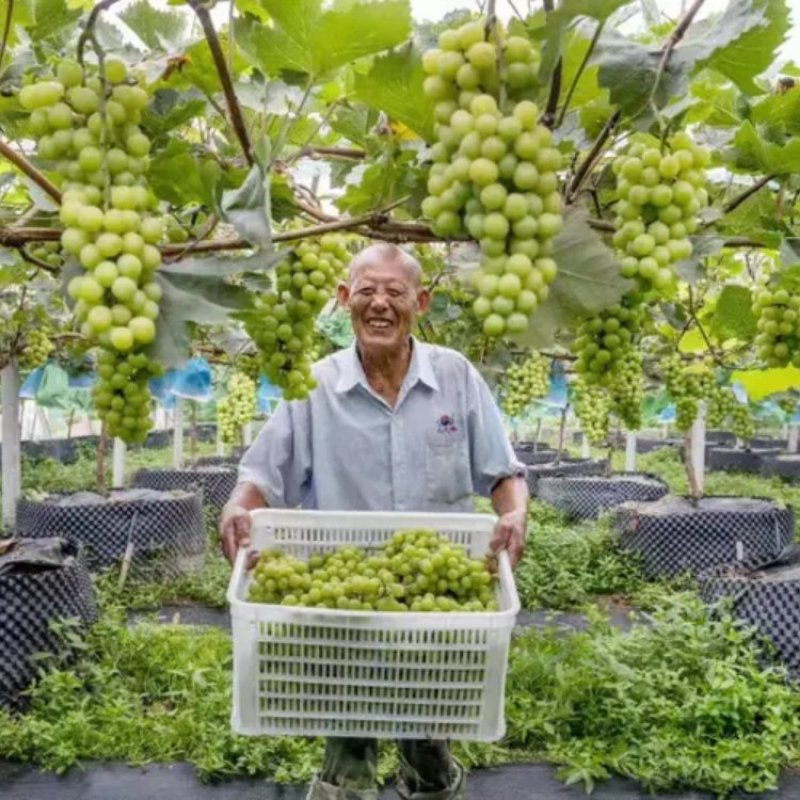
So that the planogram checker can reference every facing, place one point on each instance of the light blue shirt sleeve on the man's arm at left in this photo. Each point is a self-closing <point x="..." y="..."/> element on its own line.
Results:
<point x="278" y="462"/>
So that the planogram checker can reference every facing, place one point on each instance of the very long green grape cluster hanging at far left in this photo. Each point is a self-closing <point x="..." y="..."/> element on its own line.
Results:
<point x="88" y="130"/>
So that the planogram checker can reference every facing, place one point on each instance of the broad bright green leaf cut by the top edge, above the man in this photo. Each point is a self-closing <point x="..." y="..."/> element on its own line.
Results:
<point x="307" y="39"/>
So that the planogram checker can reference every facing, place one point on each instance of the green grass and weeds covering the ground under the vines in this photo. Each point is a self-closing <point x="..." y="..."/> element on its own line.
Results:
<point x="685" y="699"/>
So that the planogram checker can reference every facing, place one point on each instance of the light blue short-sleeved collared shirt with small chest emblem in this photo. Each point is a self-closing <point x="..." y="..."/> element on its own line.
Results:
<point x="345" y="448"/>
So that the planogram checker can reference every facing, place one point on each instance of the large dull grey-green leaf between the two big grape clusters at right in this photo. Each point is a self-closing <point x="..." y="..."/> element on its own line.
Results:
<point x="588" y="280"/>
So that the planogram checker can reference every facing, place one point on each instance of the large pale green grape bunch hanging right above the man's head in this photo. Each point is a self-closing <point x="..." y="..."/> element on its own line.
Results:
<point x="494" y="172"/>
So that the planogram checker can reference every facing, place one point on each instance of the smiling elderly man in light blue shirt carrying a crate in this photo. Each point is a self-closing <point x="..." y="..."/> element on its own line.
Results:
<point x="393" y="424"/>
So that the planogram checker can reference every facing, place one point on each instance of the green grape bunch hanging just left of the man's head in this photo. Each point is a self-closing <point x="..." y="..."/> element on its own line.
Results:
<point x="283" y="323"/>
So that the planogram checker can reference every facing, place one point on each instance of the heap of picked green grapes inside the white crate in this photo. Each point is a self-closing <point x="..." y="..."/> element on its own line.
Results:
<point x="416" y="570"/>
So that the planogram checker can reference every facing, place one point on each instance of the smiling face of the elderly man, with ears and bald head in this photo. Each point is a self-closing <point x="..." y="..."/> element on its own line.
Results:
<point x="384" y="297"/>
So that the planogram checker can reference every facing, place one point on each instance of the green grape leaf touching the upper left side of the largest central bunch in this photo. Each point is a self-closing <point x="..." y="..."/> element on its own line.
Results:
<point x="394" y="85"/>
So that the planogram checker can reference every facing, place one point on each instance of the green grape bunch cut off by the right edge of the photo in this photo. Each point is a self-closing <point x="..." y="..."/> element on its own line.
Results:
<point x="778" y="314"/>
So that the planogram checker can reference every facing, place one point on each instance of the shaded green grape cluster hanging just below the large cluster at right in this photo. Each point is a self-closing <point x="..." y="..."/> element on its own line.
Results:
<point x="607" y="356"/>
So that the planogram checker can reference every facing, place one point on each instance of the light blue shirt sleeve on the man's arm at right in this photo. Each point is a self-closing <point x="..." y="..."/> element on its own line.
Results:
<point x="491" y="454"/>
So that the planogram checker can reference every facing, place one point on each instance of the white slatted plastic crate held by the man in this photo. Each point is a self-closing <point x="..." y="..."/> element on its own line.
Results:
<point x="402" y="675"/>
